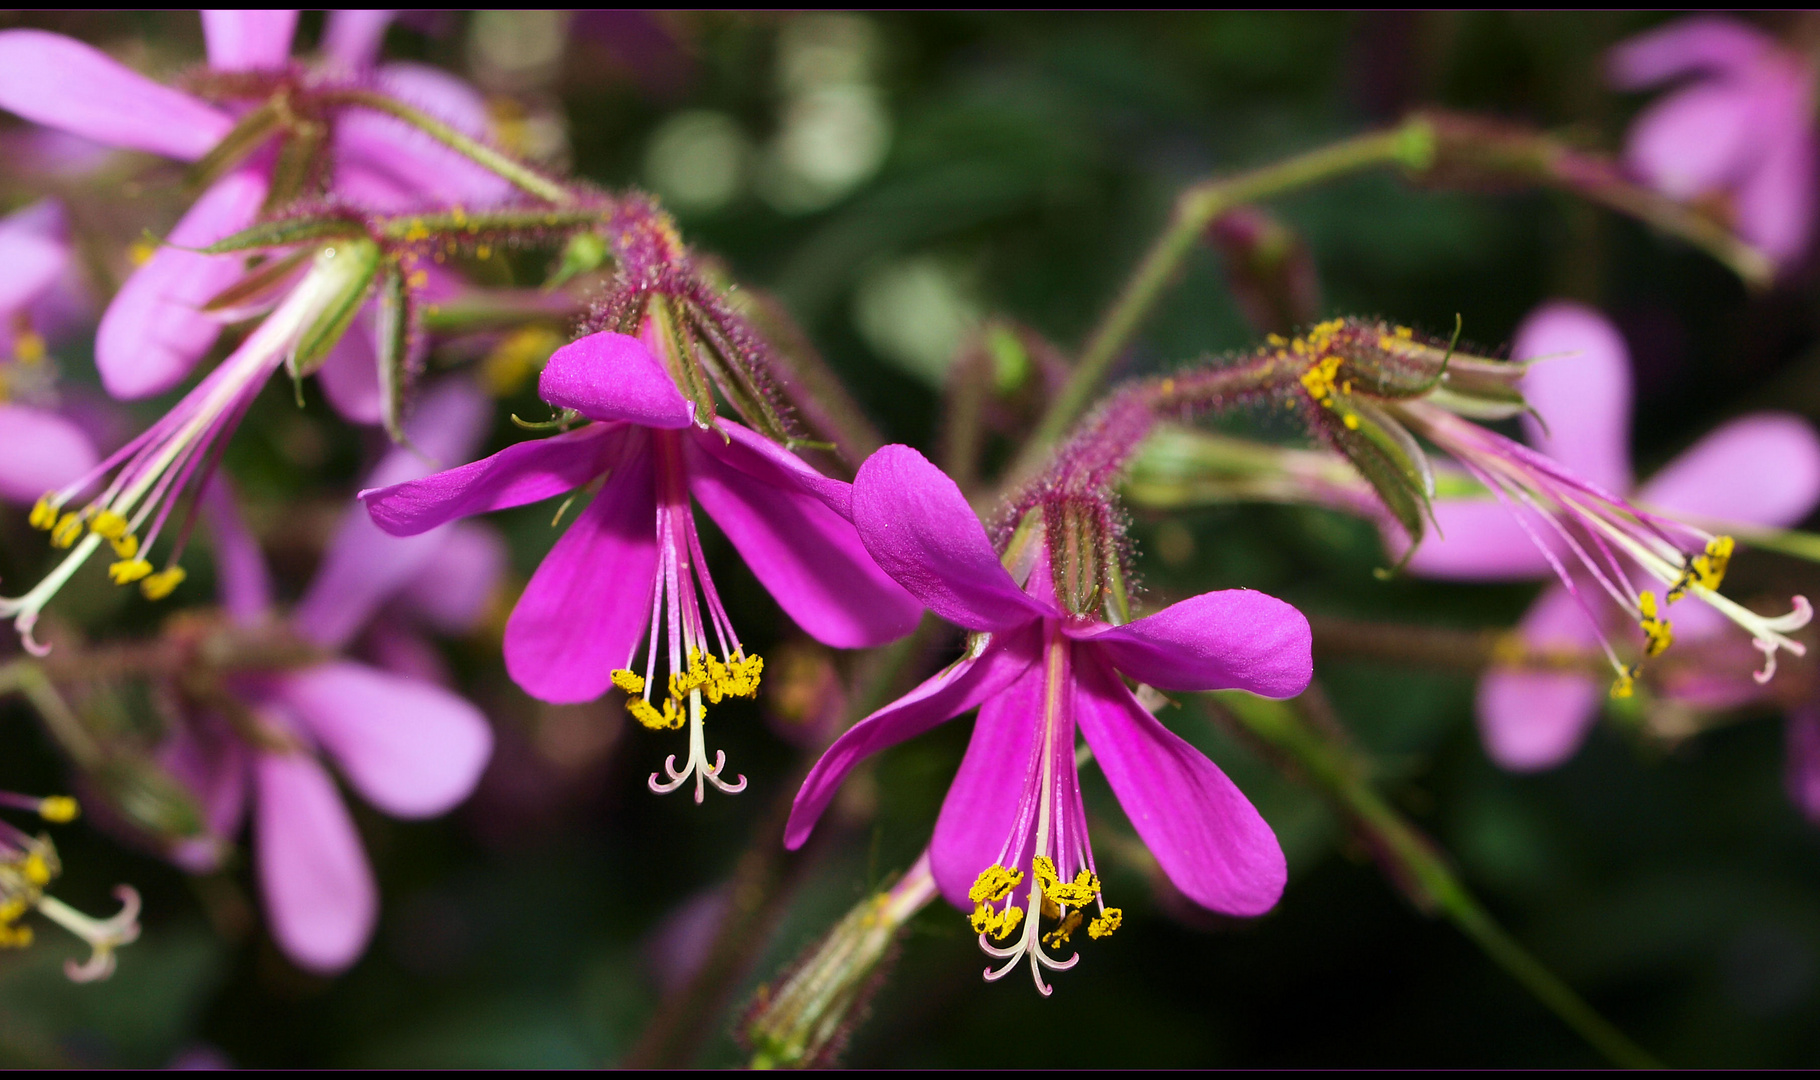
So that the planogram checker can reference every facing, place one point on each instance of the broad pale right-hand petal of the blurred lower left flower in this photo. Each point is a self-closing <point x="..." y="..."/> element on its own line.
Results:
<point x="409" y="748"/>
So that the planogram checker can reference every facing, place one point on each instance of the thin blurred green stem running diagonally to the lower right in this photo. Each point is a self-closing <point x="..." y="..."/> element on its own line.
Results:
<point x="1417" y="864"/>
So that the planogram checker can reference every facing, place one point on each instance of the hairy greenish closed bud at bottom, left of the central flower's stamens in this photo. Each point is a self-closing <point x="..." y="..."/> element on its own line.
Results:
<point x="805" y="1019"/>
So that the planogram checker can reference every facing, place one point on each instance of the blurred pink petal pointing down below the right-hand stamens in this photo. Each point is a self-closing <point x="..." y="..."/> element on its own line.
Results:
<point x="1537" y="720"/>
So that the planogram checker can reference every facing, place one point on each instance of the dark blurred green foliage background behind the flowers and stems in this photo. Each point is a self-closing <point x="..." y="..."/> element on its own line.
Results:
<point x="895" y="179"/>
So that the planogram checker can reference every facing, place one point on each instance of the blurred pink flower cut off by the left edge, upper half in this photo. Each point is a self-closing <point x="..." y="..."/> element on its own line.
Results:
<point x="43" y="449"/>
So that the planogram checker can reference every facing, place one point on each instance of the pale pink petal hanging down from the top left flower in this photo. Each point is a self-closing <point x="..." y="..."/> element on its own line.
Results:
<point x="154" y="331"/>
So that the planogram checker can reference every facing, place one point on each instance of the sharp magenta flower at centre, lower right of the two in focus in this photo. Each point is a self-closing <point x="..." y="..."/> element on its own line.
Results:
<point x="1036" y="673"/>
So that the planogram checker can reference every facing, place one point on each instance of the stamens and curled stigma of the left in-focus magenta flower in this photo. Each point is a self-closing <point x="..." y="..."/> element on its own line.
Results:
<point x="694" y="669"/>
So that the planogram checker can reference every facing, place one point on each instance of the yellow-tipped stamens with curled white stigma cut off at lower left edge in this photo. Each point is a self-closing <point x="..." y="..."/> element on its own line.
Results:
<point x="28" y="866"/>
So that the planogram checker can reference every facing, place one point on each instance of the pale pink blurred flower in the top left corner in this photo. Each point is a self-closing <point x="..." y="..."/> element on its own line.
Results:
<point x="156" y="329"/>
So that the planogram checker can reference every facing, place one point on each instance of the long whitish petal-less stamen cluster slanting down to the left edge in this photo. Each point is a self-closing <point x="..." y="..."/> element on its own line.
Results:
<point x="145" y="482"/>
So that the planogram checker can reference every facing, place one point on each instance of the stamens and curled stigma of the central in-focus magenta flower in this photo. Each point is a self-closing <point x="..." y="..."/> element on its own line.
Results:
<point x="1047" y="848"/>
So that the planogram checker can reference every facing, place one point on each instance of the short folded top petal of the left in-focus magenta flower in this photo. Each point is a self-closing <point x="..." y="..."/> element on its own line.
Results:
<point x="614" y="378"/>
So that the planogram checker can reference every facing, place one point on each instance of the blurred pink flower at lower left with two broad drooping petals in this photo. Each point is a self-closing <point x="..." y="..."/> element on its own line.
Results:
<point x="407" y="746"/>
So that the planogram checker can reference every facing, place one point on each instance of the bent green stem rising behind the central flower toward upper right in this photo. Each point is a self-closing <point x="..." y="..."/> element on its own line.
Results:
<point x="1408" y="145"/>
